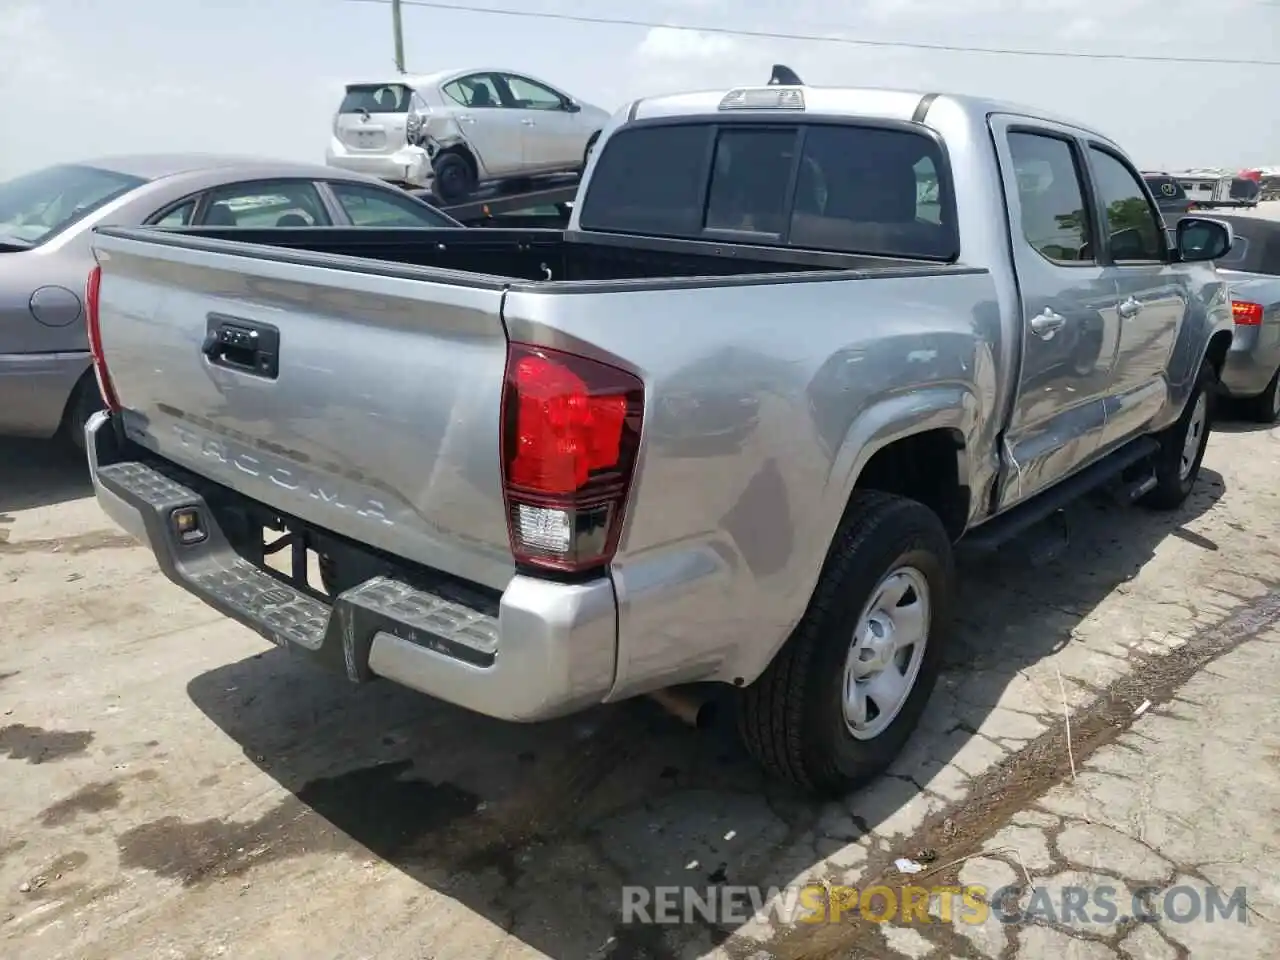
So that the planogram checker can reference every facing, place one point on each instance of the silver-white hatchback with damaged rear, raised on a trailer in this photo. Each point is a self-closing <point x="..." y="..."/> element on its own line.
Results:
<point x="454" y="131"/>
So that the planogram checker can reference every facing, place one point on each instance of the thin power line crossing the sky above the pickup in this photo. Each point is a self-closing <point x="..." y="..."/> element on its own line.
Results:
<point x="819" y="39"/>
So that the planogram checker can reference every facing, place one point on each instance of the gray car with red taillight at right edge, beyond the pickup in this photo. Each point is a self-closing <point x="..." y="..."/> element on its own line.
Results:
<point x="1252" y="271"/>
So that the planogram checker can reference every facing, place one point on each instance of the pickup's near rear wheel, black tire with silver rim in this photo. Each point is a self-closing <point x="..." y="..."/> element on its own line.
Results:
<point x="793" y="719"/>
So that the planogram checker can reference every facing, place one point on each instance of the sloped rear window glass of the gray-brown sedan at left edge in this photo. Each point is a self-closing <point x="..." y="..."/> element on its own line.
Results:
<point x="36" y="207"/>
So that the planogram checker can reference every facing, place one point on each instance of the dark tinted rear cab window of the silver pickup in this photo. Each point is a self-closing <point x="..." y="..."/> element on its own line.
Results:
<point x="819" y="186"/>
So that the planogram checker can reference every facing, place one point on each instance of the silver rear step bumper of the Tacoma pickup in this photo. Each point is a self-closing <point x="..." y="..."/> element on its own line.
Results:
<point x="543" y="651"/>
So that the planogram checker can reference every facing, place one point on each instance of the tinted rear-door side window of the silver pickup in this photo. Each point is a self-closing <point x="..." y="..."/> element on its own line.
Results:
<point x="1055" y="218"/>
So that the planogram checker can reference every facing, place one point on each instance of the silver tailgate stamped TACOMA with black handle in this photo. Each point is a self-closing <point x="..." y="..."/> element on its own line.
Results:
<point x="376" y="415"/>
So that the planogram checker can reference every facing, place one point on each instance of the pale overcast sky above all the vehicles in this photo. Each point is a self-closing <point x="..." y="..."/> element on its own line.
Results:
<point x="85" y="79"/>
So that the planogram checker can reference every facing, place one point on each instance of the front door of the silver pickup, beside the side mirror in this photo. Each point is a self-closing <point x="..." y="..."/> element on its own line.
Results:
<point x="1154" y="295"/>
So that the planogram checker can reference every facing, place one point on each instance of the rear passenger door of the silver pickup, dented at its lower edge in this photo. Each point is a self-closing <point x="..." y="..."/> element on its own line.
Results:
<point x="1068" y="303"/>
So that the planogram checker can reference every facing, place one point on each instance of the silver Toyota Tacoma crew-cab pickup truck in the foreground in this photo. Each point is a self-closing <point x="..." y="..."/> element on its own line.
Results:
<point x="725" y="429"/>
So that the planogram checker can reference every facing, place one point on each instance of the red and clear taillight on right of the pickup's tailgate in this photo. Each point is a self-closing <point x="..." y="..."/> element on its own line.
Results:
<point x="572" y="431"/>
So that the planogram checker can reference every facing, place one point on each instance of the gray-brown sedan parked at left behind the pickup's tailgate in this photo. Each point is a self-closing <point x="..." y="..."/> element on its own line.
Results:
<point x="47" y="218"/>
